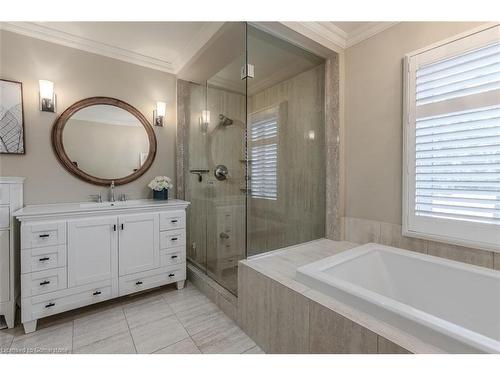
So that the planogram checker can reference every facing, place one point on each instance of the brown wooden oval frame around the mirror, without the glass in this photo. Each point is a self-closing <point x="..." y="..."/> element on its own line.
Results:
<point x="62" y="156"/>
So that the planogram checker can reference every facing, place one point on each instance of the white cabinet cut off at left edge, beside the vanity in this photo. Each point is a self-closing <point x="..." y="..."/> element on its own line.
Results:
<point x="11" y="199"/>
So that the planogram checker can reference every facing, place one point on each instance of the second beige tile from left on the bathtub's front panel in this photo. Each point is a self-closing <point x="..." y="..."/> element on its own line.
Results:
<point x="289" y="324"/>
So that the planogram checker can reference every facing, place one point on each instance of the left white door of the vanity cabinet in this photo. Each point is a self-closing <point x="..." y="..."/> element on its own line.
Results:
<point x="92" y="250"/>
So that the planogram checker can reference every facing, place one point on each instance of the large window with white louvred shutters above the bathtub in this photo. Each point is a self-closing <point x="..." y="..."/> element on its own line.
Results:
<point x="452" y="142"/>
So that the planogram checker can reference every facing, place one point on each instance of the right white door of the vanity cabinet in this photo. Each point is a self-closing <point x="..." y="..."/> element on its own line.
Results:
<point x="139" y="243"/>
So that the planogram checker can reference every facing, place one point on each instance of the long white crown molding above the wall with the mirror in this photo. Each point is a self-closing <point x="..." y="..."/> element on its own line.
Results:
<point x="40" y="31"/>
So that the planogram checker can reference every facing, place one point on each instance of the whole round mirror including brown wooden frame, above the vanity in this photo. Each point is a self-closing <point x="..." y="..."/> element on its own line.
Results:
<point x="103" y="139"/>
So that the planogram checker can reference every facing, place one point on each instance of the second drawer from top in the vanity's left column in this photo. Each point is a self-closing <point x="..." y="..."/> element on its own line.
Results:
<point x="43" y="258"/>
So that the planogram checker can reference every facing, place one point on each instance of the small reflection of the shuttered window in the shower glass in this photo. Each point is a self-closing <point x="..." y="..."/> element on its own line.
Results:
<point x="263" y="151"/>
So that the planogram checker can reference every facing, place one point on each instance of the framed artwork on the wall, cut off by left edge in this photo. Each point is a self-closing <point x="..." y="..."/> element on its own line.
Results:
<point x="11" y="117"/>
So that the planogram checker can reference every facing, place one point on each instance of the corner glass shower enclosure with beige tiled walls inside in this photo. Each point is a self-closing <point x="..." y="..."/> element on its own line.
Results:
<point x="254" y="150"/>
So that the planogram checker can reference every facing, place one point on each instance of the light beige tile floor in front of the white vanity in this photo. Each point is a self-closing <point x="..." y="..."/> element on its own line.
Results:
<point x="164" y="321"/>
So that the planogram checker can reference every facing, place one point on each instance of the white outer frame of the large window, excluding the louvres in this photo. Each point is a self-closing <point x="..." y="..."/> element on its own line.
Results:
<point x="463" y="233"/>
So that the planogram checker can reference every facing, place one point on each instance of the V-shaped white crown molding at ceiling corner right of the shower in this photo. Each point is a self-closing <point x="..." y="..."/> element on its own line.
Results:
<point x="333" y="37"/>
